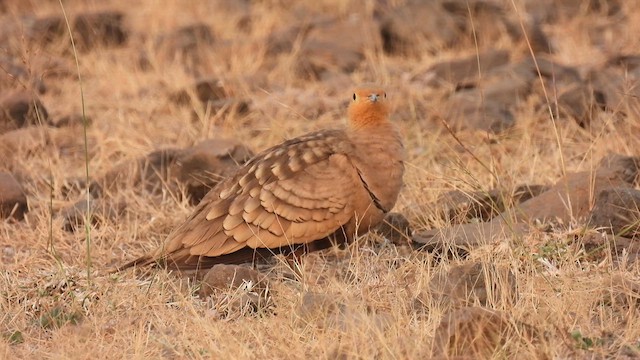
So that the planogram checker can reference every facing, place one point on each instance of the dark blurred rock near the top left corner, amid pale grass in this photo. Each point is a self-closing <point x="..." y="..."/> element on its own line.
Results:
<point x="100" y="28"/>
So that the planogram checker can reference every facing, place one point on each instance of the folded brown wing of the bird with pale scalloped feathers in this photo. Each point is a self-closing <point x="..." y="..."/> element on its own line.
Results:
<point x="293" y="193"/>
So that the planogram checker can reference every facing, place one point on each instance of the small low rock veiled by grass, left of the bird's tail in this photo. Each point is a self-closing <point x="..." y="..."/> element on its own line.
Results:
<point x="100" y="211"/>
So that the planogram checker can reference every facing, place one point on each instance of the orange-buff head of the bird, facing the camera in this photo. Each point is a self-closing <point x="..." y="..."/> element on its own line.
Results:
<point x="368" y="107"/>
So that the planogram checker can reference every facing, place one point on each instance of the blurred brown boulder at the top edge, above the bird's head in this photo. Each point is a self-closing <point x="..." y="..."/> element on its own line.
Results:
<point x="418" y="27"/>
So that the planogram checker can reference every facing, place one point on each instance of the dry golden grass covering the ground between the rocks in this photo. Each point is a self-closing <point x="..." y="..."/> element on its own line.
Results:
<point x="49" y="308"/>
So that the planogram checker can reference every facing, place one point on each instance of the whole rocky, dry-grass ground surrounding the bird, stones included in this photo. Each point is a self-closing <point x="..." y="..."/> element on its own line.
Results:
<point x="516" y="234"/>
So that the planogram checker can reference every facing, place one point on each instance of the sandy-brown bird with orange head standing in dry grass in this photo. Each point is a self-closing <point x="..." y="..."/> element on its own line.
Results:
<point x="304" y="194"/>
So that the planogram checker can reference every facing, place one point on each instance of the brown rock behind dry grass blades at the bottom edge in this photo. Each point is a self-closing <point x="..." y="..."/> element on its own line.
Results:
<point x="482" y="333"/>
